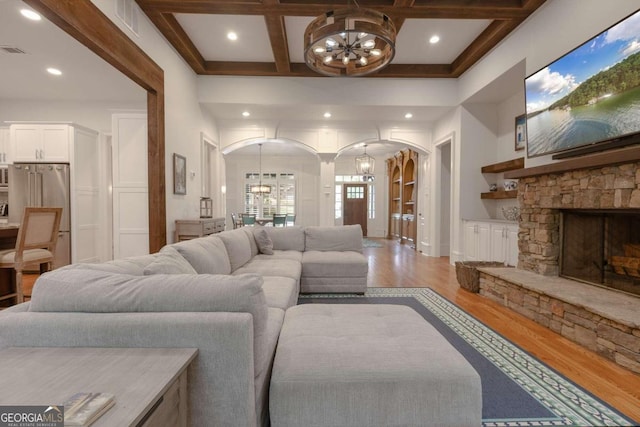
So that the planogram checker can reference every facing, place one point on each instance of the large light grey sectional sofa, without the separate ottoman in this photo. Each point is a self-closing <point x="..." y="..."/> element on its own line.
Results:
<point x="225" y="294"/>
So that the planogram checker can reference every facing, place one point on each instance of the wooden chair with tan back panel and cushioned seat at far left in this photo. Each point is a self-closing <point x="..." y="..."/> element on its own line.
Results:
<point x="35" y="244"/>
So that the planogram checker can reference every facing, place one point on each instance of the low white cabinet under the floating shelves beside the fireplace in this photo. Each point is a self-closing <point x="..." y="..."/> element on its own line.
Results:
<point x="491" y="241"/>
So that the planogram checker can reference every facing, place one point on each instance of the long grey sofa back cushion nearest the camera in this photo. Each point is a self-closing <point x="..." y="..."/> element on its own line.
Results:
<point x="100" y="292"/>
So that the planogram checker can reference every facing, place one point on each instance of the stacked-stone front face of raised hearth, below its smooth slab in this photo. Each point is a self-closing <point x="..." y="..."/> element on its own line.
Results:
<point x="609" y="338"/>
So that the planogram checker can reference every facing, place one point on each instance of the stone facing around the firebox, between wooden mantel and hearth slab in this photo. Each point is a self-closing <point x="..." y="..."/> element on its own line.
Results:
<point x="541" y="198"/>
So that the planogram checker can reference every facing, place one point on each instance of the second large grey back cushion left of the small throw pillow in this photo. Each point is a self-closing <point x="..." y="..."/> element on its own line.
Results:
<point x="207" y="255"/>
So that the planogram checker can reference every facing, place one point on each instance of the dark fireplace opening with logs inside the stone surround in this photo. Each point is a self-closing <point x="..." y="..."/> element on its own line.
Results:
<point x="602" y="247"/>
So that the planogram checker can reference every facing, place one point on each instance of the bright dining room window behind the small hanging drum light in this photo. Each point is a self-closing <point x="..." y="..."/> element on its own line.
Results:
<point x="281" y="199"/>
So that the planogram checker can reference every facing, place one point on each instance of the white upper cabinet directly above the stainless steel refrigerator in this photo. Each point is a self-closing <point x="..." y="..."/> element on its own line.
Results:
<point x="41" y="142"/>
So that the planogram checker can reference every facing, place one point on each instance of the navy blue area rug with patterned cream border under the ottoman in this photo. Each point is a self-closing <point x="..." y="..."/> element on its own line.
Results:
<point x="517" y="389"/>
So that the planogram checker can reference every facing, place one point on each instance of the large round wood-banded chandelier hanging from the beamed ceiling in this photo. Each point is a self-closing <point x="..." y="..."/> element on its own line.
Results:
<point x="349" y="42"/>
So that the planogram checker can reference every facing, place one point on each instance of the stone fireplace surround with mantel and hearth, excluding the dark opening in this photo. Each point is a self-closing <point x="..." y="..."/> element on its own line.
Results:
<point x="602" y="320"/>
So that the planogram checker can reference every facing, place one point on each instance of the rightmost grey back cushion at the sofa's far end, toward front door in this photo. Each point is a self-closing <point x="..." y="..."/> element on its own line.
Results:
<point x="344" y="238"/>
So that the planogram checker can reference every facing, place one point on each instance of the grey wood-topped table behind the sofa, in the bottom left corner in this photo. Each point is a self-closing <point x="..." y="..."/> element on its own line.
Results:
<point x="149" y="384"/>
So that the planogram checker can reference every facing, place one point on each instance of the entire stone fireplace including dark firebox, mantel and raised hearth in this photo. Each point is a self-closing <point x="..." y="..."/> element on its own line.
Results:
<point x="579" y="226"/>
